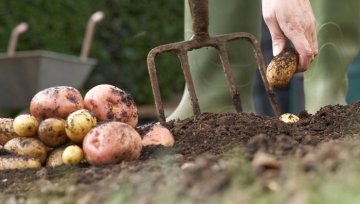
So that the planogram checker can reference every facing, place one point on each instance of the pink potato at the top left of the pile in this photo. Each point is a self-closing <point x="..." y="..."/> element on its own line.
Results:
<point x="56" y="102"/>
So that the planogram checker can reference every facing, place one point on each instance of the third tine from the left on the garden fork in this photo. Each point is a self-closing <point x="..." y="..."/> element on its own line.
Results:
<point x="235" y="95"/>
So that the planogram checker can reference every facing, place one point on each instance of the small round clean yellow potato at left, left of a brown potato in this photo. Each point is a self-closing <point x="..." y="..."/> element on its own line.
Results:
<point x="25" y="125"/>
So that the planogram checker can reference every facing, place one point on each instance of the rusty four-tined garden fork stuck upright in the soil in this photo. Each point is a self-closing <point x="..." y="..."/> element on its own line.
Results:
<point x="201" y="38"/>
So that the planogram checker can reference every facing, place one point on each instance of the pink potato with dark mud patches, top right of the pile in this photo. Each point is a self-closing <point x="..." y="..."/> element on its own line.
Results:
<point x="111" y="103"/>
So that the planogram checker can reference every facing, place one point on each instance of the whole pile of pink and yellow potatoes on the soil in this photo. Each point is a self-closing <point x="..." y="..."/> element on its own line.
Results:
<point x="65" y="128"/>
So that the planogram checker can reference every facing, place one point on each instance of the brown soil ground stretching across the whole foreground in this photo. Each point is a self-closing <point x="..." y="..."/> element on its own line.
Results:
<point x="211" y="162"/>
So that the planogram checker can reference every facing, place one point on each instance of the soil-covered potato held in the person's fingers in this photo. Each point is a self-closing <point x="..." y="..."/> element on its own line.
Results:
<point x="282" y="68"/>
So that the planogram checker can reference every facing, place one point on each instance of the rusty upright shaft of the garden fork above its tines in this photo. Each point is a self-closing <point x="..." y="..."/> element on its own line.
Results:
<point x="199" y="10"/>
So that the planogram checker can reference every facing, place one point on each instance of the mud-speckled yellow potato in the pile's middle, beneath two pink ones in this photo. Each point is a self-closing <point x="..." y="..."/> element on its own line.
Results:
<point x="78" y="124"/>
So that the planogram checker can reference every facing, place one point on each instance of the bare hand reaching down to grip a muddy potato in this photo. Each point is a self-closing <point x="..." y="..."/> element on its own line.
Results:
<point x="292" y="19"/>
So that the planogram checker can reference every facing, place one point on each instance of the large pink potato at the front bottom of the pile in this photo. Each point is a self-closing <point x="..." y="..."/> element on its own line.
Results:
<point x="111" y="142"/>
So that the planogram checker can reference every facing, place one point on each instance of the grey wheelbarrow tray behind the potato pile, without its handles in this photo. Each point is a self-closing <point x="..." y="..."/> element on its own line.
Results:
<point x="27" y="72"/>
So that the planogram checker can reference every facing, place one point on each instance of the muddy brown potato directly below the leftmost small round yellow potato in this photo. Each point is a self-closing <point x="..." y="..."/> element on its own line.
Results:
<point x="27" y="146"/>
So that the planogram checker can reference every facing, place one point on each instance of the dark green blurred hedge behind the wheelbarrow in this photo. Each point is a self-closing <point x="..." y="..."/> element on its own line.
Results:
<point x="120" y="44"/>
